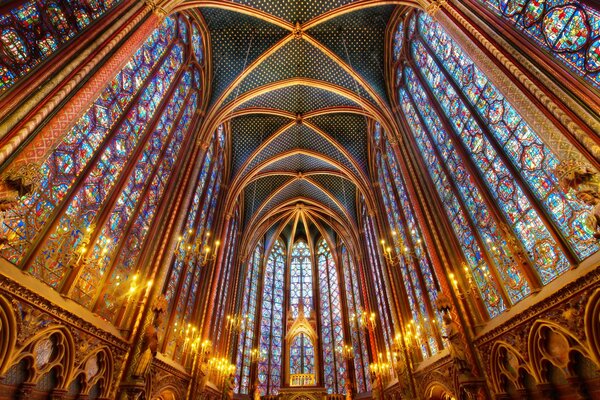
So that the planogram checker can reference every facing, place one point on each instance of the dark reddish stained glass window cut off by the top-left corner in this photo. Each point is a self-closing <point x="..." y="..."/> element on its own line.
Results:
<point x="34" y="30"/>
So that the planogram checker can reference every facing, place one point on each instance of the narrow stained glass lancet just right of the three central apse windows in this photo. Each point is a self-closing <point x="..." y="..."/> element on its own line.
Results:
<point x="358" y="336"/>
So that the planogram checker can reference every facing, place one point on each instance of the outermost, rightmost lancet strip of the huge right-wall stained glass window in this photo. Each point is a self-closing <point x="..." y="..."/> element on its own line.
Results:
<point x="530" y="156"/>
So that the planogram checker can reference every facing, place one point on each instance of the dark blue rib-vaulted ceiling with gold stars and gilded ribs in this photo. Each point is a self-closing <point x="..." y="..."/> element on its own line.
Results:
<point x="299" y="82"/>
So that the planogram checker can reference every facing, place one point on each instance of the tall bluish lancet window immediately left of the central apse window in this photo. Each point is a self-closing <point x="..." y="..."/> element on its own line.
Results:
<point x="271" y="323"/>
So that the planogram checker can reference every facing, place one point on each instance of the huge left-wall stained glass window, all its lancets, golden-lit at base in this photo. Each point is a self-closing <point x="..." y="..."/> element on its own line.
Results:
<point x="84" y="229"/>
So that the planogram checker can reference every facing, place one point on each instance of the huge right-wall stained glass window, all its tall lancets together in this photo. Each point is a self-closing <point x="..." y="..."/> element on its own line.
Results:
<point x="453" y="110"/>
